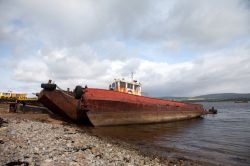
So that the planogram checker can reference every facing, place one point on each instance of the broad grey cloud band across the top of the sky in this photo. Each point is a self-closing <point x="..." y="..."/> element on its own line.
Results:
<point x="193" y="23"/>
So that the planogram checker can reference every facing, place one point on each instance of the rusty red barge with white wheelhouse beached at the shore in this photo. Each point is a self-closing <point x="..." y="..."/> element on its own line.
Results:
<point x="121" y="104"/>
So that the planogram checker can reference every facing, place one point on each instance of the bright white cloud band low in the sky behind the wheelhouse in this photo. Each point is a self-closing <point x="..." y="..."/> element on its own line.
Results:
<point x="222" y="71"/>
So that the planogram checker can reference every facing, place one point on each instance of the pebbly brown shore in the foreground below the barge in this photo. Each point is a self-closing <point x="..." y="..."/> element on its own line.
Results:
<point x="39" y="139"/>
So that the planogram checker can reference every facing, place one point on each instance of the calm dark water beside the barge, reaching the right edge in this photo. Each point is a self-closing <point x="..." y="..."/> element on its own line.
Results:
<point x="222" y="139"/>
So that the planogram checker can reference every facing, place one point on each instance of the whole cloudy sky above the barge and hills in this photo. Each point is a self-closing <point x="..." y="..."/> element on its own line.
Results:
<point x="174" y="48"/>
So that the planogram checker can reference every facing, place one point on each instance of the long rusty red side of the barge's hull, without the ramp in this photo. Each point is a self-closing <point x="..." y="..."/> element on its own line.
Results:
<point x="106" y="107"/>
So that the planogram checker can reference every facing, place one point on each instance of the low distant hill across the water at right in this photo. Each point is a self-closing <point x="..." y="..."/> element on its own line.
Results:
<point x="214" y="97"/>
